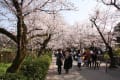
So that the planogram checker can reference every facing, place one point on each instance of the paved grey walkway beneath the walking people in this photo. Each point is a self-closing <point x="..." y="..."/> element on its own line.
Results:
<point x="83" y="74"/>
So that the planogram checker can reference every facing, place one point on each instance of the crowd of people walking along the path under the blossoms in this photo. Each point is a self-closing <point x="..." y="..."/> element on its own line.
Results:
<point x="85" y="57"/>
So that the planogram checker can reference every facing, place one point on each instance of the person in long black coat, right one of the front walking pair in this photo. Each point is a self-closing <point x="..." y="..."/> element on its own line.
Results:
<point x="68" y="61"/>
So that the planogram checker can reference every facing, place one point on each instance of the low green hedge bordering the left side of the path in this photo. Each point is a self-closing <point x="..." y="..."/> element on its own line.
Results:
<point x="31" y="69"/>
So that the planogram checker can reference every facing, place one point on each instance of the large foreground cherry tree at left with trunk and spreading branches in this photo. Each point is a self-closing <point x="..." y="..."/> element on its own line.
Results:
<point x="20" y="10"/>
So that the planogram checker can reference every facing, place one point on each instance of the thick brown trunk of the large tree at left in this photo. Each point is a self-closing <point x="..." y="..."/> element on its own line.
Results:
<point x="21" y="47"/>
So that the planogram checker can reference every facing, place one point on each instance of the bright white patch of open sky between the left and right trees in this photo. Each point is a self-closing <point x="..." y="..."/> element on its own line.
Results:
<point x="85" y="8"/>
